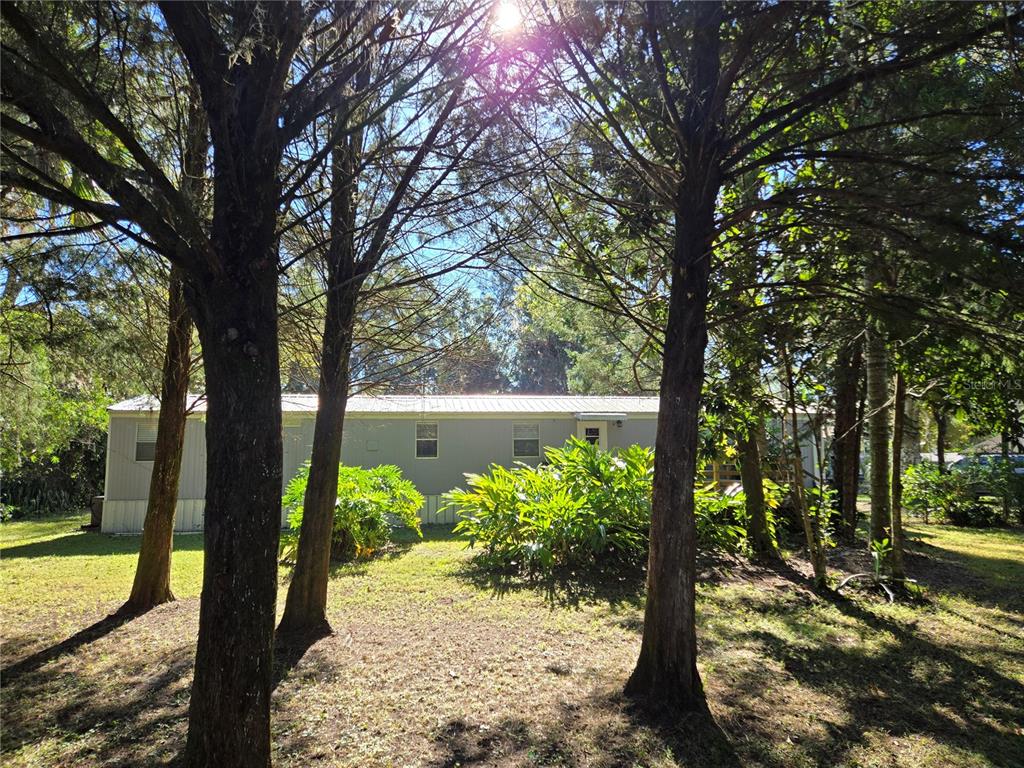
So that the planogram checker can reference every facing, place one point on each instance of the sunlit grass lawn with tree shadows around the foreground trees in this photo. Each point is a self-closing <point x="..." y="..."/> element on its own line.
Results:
<point x="434" y="664"/>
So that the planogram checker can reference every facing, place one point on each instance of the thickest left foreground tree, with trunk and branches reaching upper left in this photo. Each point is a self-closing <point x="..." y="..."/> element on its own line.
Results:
<point x="240" y="57"/>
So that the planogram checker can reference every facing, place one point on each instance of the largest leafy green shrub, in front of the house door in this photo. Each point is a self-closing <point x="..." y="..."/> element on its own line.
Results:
<point x="583" y="506"/>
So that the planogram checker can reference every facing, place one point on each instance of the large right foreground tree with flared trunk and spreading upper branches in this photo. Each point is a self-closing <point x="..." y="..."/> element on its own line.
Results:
<point x="672" y="116"/>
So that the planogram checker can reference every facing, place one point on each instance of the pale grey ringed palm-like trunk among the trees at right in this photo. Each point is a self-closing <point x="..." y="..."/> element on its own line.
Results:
<point x="878" y="428"/>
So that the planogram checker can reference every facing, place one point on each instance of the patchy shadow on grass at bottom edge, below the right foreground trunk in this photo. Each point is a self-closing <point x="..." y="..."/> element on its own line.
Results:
<point x="605" y="731"/>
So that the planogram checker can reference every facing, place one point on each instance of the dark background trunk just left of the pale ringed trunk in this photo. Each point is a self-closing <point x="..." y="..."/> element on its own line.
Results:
<point x="846" y="447"/>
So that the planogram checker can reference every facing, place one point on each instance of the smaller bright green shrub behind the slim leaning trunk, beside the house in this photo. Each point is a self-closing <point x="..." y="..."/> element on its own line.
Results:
<point x="371" y="503"/>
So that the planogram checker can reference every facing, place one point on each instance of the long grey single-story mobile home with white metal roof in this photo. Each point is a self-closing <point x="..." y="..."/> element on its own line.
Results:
<point x="435" y="440"/>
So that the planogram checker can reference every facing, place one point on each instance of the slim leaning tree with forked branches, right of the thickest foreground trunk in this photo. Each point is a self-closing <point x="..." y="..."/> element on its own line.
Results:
<point x="351" y="263"/>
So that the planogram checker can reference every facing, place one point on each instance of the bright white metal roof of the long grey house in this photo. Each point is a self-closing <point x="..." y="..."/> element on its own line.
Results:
<point x="510" y="405"/>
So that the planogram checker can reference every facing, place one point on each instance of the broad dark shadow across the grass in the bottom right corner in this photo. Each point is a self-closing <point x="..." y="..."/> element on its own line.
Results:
<point x="913" y="688"/>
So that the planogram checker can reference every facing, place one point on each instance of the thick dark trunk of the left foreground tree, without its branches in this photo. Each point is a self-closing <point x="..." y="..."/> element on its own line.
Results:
<point x="235" y="307"/>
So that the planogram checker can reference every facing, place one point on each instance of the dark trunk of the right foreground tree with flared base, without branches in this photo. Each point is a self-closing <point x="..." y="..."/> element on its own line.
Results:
<point x="666" y="674"/>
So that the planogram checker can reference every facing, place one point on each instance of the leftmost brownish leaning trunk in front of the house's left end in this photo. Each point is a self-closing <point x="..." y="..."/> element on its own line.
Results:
<point x="153" y="574"/>
